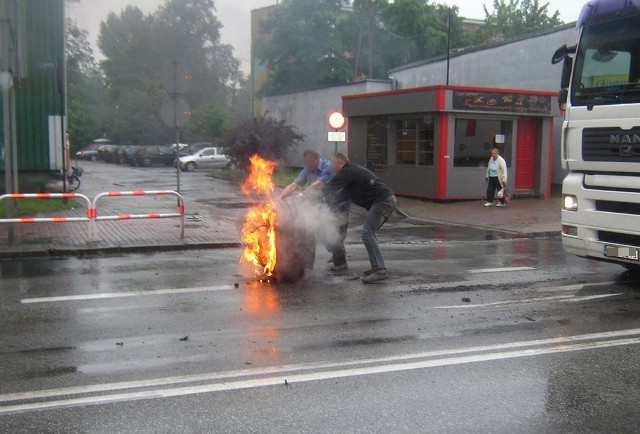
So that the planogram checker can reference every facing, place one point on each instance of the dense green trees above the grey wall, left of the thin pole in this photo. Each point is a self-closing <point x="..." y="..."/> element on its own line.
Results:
<point x="311" y="43"/>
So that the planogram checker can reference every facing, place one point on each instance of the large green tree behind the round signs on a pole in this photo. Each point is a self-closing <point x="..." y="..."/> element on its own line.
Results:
<point x="136" y="46"/>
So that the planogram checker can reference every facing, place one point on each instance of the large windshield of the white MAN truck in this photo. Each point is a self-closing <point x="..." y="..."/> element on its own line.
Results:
<point x="607" y="67"/>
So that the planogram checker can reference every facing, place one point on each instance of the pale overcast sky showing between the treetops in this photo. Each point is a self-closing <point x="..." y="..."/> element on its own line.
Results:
<point x="235" y="16"/>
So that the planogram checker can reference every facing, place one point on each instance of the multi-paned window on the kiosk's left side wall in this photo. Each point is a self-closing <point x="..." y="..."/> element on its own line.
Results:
<point x="414" y="141"/>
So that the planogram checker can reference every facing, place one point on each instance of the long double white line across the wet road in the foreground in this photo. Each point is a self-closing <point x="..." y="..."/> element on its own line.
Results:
<point x="322" y="371"/>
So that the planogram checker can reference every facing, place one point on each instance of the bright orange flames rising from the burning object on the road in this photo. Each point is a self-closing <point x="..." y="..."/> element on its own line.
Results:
<point x="259" y="228"/>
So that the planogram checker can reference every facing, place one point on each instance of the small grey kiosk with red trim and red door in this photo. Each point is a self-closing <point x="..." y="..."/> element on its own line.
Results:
<point x="435" y="142"/>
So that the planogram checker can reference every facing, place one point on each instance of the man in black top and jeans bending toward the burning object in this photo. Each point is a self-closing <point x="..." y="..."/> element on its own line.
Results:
<point x="362" y="187"/>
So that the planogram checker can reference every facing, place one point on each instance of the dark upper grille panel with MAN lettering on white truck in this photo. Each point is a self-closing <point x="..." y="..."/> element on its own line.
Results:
<point x="611" y="144"/>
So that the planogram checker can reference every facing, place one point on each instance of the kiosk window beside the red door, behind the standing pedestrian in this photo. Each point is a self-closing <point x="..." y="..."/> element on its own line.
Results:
<point x="474" y="139"/>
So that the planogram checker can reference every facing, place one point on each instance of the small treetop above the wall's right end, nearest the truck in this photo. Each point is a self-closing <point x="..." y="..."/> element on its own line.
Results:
<point x="512" y="18"/>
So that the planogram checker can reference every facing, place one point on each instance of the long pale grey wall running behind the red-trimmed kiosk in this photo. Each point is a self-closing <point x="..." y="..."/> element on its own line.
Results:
<point x="520" y="64"/>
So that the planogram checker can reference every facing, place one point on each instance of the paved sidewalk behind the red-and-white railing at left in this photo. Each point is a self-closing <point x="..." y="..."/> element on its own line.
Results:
<point x="204" y="228"/>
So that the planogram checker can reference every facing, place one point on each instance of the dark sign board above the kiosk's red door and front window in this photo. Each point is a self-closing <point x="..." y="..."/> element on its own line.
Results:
<point x="501" y="102"/>
